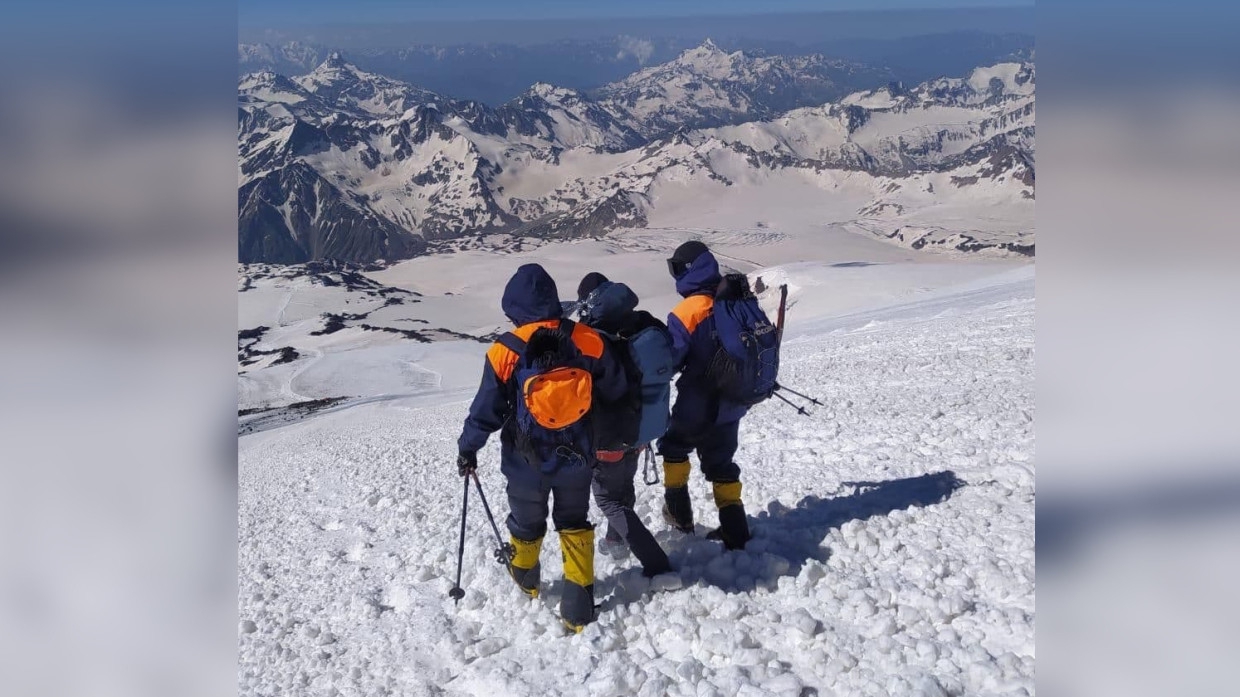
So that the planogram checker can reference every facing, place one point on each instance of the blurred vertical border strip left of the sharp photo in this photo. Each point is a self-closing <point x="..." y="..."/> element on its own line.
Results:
<point x="117" y="368"/>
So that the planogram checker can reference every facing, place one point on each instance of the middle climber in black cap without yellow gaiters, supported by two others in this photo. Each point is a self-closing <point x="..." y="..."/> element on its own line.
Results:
<point x="616" y="422"/>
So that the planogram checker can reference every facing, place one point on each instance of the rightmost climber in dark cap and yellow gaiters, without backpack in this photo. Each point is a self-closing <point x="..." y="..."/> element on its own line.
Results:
<point x="701" y="420"/>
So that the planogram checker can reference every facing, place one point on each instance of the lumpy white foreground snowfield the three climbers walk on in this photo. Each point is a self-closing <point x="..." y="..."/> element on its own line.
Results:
<point x="893" y="546"/>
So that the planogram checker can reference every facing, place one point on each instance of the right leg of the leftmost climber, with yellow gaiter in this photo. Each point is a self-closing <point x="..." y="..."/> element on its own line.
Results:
<point x="571" y="510"/>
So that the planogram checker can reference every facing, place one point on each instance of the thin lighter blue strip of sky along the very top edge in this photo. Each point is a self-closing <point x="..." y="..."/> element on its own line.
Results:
<point x="259" y="13"/>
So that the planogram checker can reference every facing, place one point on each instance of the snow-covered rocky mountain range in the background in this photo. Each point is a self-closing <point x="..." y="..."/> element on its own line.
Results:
<point x="567" y="169"/>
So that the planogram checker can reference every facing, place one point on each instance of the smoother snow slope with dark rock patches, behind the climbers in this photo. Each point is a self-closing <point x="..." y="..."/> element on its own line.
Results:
<point x="453" y="297"/>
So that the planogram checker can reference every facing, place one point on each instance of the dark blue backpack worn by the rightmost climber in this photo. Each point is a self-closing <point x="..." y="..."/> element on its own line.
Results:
<point x="746" y="363"/>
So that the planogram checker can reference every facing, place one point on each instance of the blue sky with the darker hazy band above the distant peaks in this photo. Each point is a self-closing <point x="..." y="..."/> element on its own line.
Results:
<point x="319" y="23"/>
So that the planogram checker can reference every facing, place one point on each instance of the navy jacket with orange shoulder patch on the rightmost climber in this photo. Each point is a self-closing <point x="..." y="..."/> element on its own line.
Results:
<point x="697" y="404"/>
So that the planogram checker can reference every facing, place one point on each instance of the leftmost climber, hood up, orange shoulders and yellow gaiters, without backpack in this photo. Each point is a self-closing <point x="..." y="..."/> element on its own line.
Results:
<point x="531" y="302"/>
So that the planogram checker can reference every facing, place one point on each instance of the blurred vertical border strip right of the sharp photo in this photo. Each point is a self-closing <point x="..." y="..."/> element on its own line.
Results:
<point x="1139" y="520"/>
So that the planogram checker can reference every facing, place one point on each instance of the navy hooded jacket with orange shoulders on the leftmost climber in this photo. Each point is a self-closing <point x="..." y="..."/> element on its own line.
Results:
<point x="530" y="302"/>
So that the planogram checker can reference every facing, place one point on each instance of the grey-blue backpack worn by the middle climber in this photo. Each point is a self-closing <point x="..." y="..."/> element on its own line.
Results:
<point x="650" y="360"/>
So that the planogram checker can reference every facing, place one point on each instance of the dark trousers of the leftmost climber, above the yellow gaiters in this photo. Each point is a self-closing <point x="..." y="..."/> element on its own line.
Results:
<point x="567" y="491"/>
